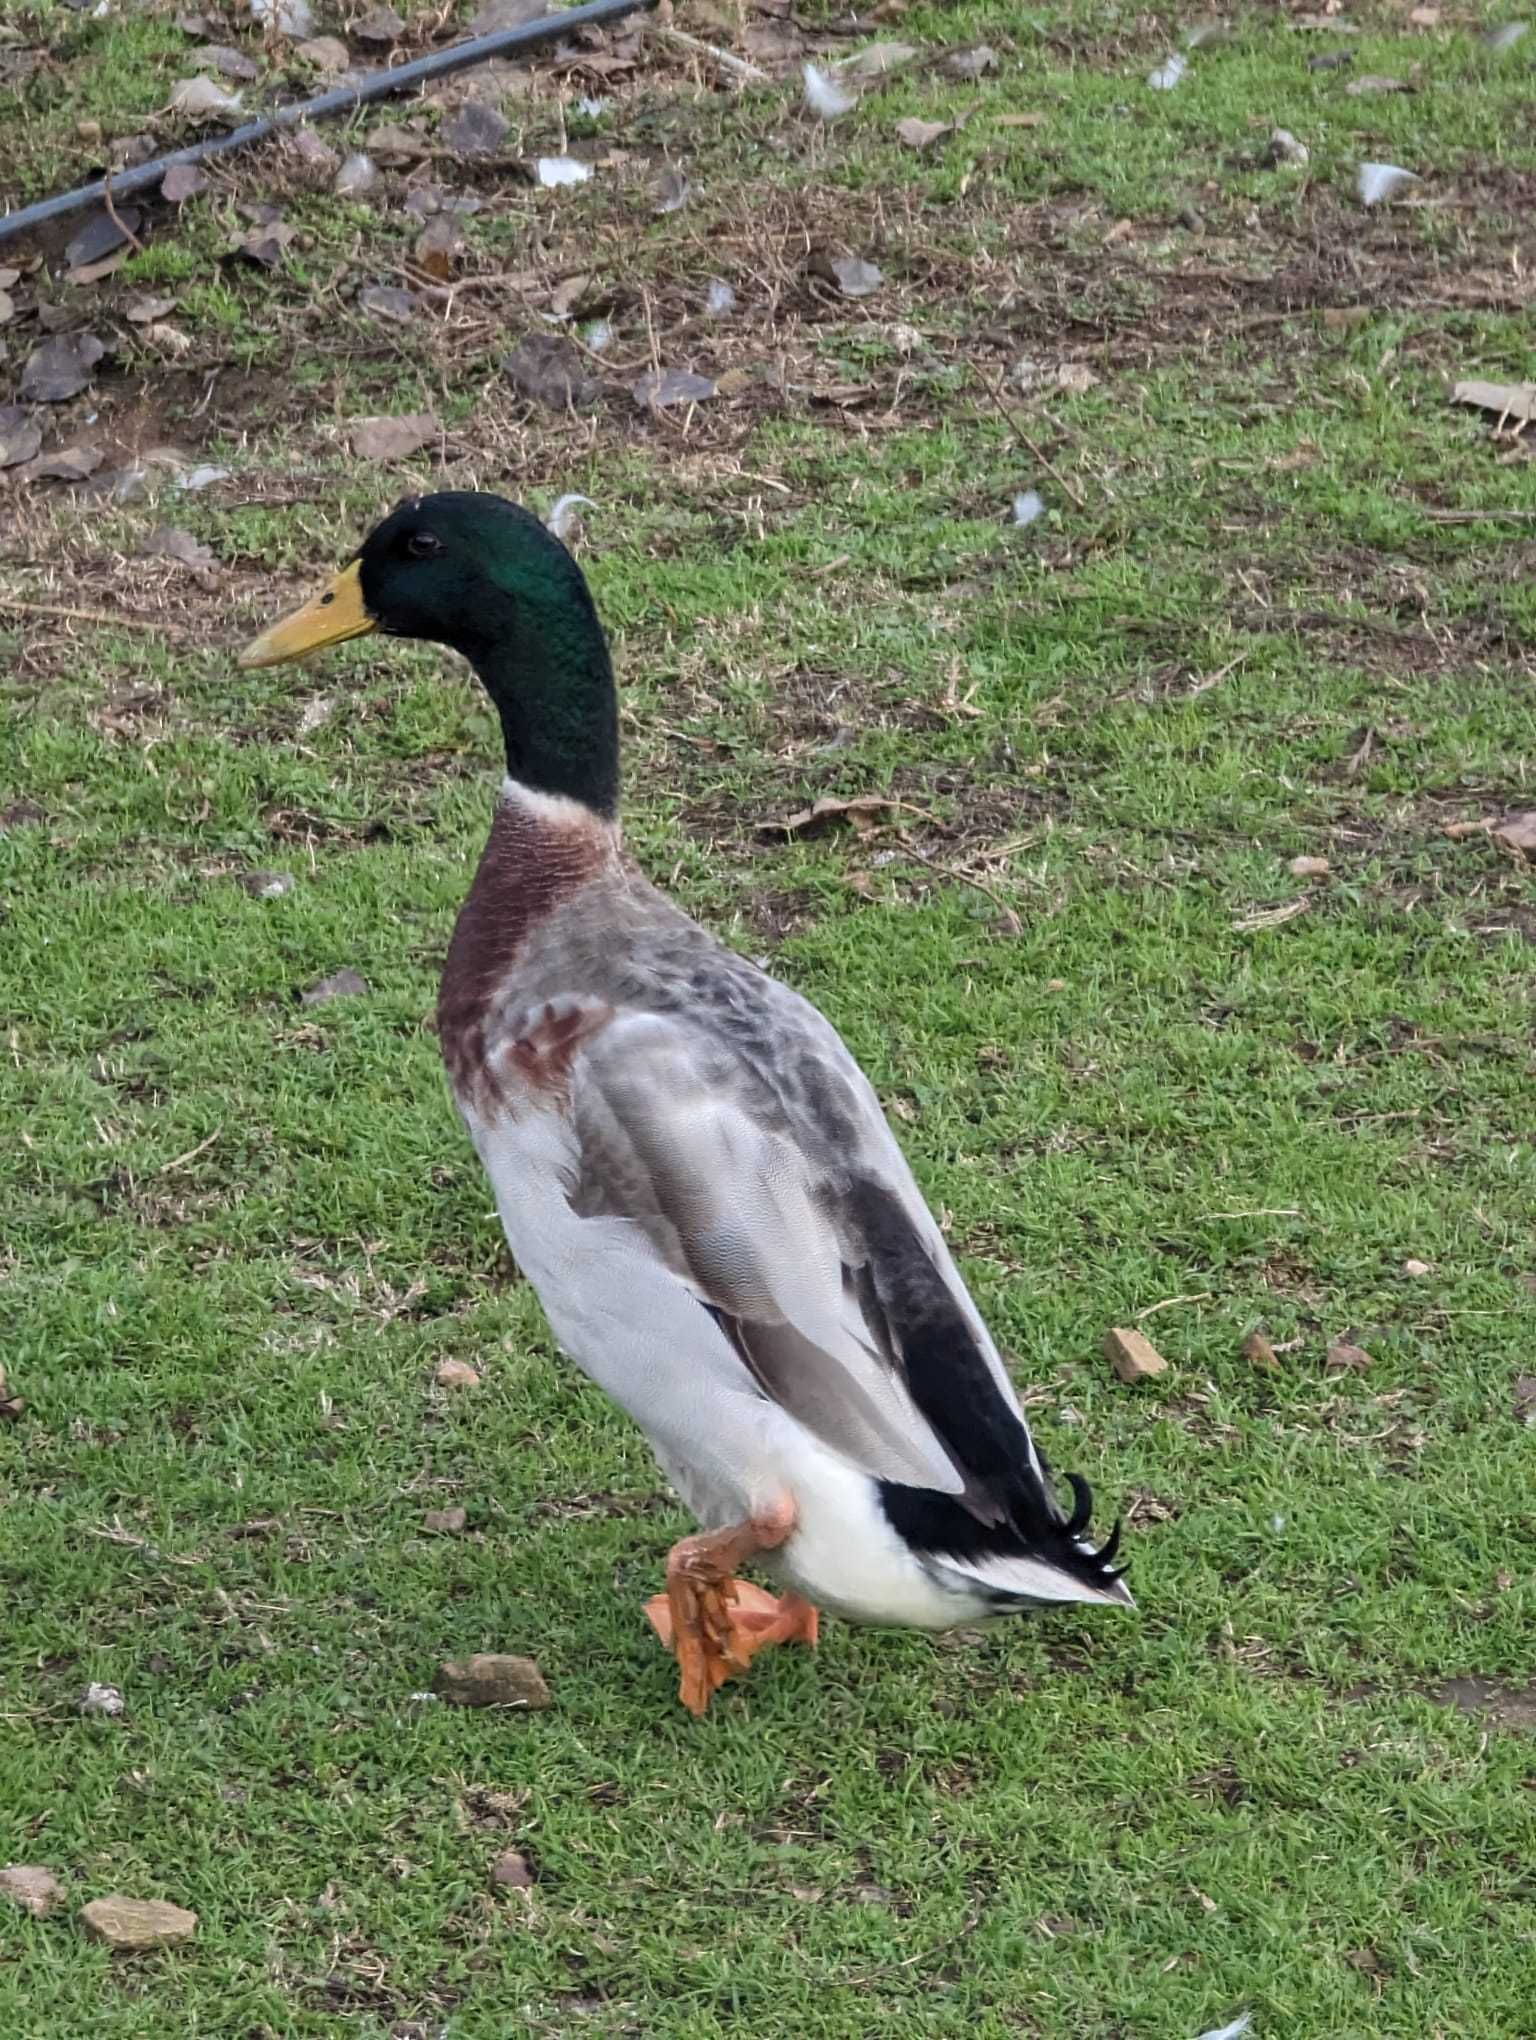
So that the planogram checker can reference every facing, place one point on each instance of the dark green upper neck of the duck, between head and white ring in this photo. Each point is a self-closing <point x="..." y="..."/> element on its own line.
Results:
<point x="548" y="672"/>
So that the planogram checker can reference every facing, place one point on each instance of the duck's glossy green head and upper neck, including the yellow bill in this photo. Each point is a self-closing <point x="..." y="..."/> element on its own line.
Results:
<point x="484" y="576"/>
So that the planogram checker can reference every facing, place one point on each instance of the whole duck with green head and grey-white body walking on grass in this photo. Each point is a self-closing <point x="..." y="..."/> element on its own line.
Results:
<point x="695" y="1174"/>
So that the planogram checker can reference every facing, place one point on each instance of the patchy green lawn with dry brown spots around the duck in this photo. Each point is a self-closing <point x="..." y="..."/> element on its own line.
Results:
<point x="244" y="1231"/>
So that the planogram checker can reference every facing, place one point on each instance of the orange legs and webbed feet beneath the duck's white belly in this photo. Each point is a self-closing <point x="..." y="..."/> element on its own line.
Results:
<point x="715" y="1623"/>
